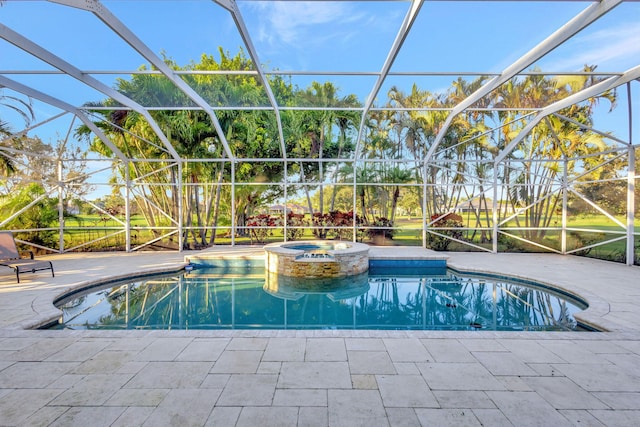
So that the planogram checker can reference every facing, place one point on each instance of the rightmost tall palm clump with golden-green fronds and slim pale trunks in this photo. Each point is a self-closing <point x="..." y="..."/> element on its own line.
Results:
<point x="537" y="187"/>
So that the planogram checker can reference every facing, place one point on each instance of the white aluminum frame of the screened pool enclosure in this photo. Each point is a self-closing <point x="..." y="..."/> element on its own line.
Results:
<point x="501" y="223"/>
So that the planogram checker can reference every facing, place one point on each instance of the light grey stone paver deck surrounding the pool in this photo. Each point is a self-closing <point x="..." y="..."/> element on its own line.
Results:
<point x="321" y="378"/>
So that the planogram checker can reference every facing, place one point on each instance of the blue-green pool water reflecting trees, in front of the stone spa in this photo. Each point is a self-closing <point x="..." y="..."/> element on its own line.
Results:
<point x="216" y="298"/>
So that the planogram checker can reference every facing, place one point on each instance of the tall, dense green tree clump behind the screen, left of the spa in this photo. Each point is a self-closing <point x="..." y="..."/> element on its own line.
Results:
<point x="250" y="133"/>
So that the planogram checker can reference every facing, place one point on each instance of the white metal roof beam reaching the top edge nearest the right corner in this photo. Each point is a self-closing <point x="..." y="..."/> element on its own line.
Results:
<point x="580" y="21"/>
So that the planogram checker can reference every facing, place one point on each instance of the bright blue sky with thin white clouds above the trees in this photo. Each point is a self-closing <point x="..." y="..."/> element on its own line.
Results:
<point x="315" y="37"/>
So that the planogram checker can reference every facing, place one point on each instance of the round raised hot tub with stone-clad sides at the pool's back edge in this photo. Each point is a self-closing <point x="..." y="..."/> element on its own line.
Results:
<point x="317" y="259"/>
